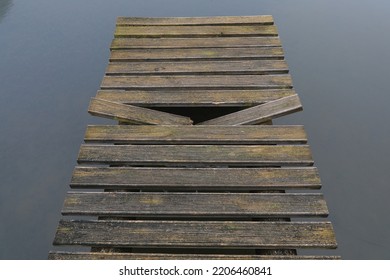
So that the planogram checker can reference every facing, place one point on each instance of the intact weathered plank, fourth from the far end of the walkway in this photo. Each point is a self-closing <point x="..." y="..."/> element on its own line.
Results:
<point x="197" y="54"/>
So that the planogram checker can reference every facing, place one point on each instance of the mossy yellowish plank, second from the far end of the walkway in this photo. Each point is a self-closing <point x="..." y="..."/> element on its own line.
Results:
<point x="190" y="31"/>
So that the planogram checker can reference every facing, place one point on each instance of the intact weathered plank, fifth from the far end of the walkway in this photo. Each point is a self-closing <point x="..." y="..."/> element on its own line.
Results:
<point x="198" y="67"/>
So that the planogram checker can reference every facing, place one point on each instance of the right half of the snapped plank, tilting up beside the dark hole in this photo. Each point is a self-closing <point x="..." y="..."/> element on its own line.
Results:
<point x="259" y="113"/>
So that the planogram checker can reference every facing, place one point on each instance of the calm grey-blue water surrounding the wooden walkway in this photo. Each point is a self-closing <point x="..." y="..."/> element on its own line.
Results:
<point x="52" y="58"/>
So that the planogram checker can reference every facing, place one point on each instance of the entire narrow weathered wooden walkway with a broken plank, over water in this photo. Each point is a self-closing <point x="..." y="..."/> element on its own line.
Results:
<point x="195" y="169"/>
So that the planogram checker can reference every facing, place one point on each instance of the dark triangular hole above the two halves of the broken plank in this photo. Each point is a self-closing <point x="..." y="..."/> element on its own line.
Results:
<point x="199" y="114"/>
